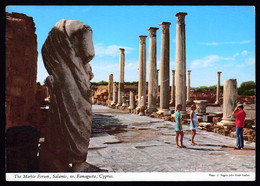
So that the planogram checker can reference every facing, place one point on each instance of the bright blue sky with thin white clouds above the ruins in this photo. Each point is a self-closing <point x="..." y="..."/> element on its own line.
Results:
<point x="218" y="38"/>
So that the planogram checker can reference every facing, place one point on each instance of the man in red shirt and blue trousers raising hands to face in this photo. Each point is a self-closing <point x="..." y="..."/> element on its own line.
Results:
<point x="240" y="115"/>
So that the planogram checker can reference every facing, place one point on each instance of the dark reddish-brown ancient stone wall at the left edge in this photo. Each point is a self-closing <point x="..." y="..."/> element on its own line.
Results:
<point x="21" y="69"/>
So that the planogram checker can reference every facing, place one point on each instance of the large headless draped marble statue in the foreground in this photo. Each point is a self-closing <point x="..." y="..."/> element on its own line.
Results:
<point x="66" y="53"/>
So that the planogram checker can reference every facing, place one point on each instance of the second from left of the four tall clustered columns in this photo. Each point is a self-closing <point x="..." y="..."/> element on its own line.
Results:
<point x="153" y="82"/>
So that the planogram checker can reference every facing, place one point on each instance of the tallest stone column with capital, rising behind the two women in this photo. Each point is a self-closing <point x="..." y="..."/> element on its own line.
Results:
<point x="180" y="95"/>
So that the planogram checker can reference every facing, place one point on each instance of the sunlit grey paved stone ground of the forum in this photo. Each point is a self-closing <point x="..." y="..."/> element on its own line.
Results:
<point x="125" y="142"/>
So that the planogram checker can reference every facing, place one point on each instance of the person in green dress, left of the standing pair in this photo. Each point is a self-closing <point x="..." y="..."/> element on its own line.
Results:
<point x="178" y="126"/>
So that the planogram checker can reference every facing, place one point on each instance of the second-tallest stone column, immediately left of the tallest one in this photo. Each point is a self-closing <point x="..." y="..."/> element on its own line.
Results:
<point x="165" y="69"/>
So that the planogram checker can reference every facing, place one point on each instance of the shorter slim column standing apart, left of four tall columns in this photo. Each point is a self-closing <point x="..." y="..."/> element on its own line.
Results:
<point x="121" y="89"/>
